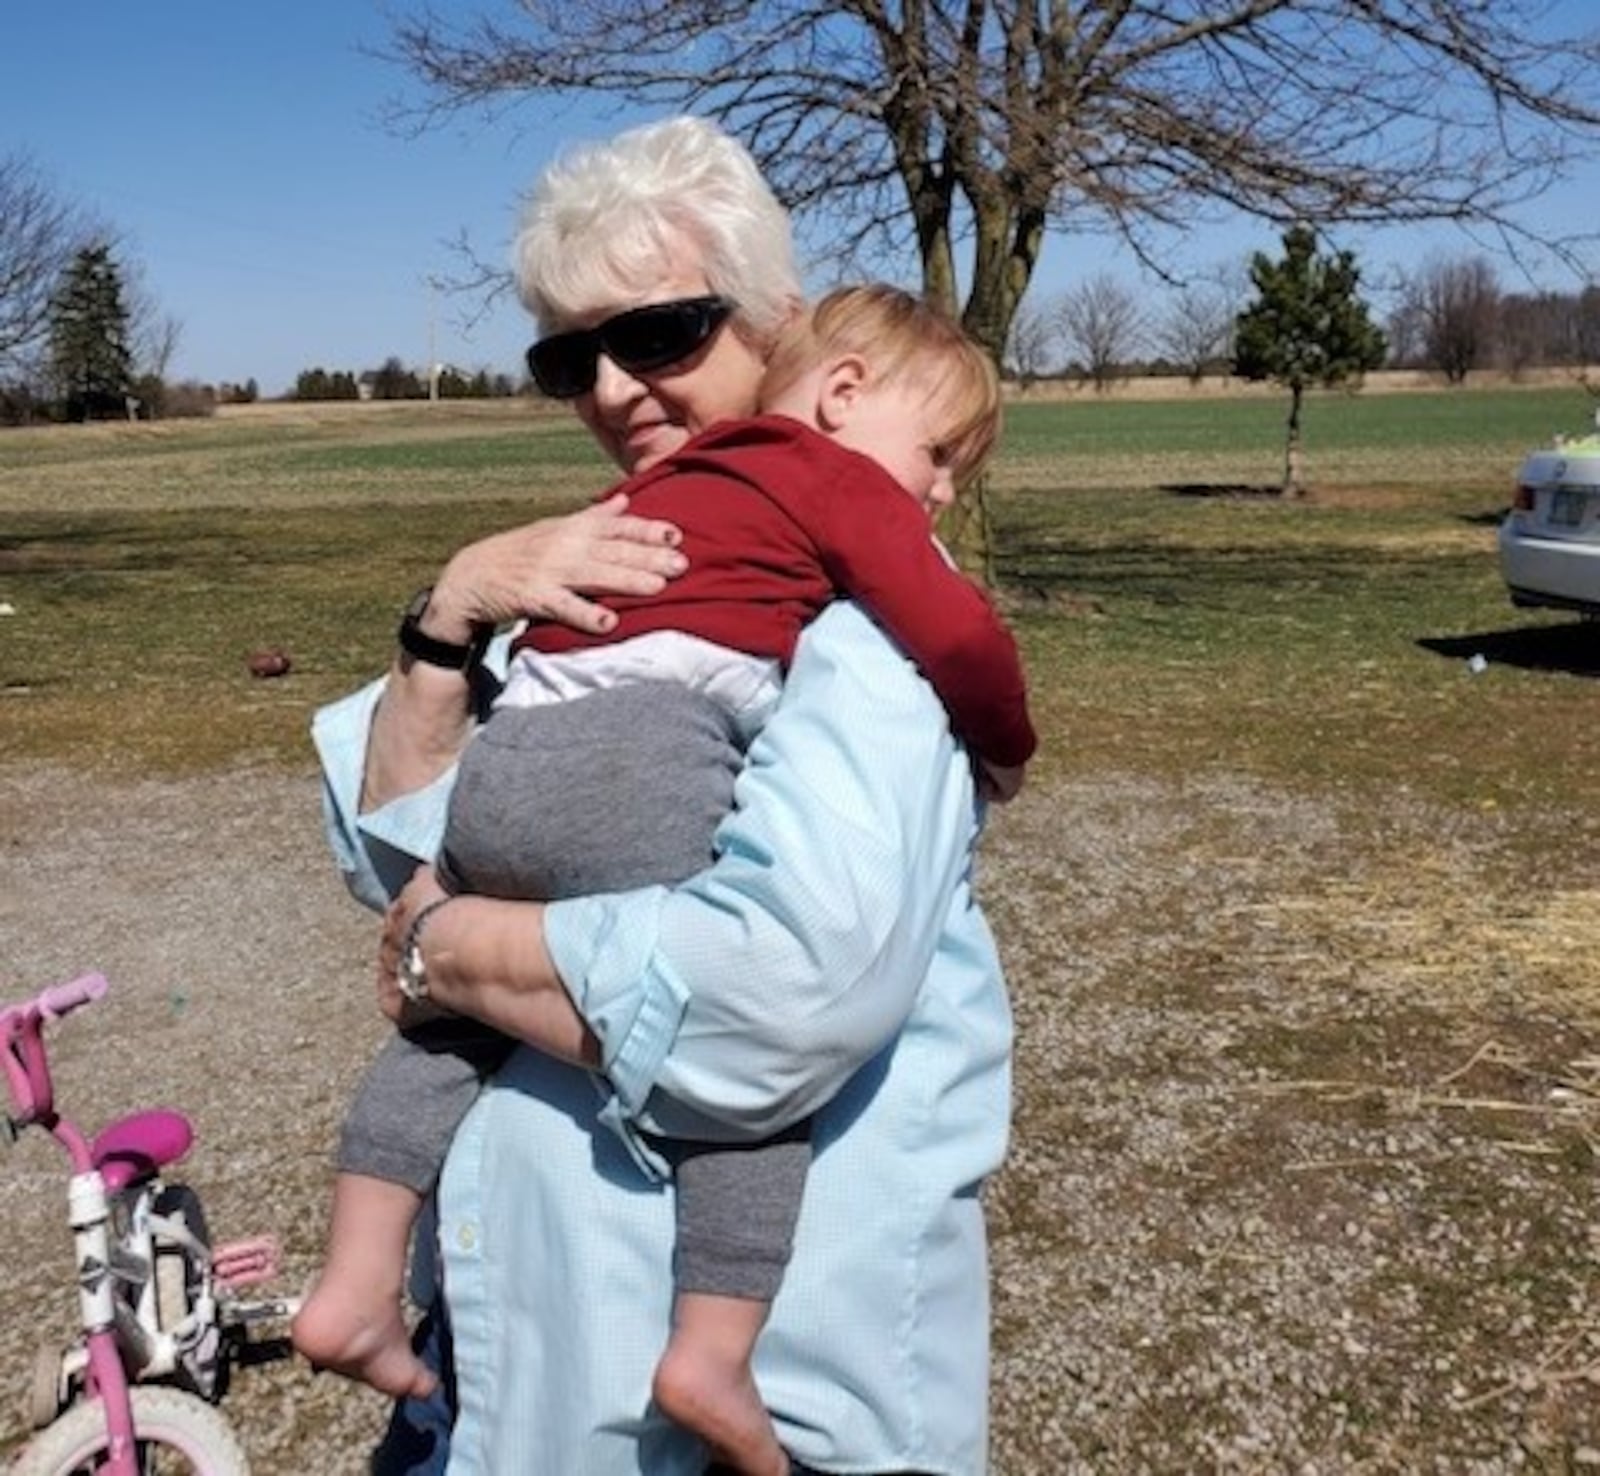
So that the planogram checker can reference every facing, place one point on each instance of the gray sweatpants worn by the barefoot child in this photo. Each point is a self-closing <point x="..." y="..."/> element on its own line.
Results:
<point x="612" y="792"/>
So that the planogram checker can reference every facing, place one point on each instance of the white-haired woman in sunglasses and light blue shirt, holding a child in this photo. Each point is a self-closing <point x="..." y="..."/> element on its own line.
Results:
<point x="831" y="961"/>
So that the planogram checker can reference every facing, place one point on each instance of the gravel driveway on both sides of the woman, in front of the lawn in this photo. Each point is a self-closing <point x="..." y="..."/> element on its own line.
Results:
<point x="1303" y="1176"/>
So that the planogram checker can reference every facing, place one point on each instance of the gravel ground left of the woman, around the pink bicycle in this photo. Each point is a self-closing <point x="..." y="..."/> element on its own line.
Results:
<point x="239" y="995"/>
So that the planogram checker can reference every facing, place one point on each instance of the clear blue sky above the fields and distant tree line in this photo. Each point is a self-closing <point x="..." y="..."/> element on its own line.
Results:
<point x="238" y="151"/>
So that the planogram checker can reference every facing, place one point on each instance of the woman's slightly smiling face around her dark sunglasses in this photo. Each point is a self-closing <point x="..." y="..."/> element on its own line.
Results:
<point x="641" y="419"/>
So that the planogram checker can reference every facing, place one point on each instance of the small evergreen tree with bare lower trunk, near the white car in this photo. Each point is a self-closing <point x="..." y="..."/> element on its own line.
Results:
<point x="1306" y="327"/>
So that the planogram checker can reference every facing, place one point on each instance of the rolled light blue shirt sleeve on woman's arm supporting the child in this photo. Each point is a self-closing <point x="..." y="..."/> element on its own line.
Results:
<point x="751" y="993"/>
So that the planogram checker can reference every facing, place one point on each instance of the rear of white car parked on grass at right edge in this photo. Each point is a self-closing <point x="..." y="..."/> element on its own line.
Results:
<point x="1550" y="543"/>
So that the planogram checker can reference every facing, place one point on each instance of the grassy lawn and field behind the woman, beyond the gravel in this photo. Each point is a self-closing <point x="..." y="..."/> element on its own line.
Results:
<point x="1175" y="619"/>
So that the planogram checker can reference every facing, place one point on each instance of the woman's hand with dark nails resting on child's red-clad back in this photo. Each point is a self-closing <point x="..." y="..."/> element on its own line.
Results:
<point x="545" y="571"/>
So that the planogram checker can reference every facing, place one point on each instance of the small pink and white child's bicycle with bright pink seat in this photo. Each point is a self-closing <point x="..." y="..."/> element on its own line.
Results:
<point x="162" y="1314"/>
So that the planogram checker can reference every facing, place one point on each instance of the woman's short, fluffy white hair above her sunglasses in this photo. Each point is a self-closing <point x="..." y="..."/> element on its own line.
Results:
<point x="607" y="220"/>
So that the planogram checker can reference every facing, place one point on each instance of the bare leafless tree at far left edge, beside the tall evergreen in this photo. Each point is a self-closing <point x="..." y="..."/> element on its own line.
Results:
<point x="39" y="238"/>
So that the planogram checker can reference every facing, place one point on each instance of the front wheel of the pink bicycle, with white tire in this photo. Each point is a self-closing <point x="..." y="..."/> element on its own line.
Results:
<point x="178" y="1435"/>
